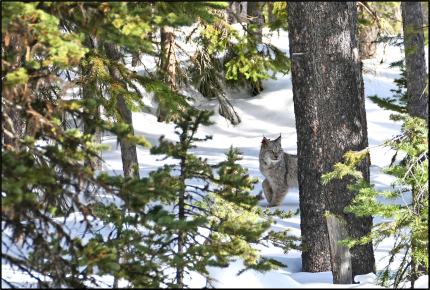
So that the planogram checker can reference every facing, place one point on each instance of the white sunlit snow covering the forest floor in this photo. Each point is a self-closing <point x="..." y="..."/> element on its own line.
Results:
<point x="271" y="113"/>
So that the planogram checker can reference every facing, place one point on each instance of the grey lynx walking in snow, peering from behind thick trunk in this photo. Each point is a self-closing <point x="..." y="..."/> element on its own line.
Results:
<point x="280" y="170"/>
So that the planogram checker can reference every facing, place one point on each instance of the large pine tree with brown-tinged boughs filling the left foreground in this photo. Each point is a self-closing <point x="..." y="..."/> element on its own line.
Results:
<point x="44" y="177"/>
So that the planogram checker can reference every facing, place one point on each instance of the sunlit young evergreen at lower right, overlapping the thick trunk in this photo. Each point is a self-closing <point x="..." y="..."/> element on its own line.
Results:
<point x="408" y="223"/>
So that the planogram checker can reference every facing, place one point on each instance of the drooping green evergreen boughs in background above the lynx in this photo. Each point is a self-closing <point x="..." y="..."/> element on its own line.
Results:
<point x="244" y="63"/>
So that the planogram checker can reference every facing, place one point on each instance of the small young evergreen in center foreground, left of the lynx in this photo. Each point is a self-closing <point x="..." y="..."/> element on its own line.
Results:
<point x="180" y="225"/>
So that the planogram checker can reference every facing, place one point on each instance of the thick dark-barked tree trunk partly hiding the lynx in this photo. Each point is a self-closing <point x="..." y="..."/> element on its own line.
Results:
<point x="328" y="96"/>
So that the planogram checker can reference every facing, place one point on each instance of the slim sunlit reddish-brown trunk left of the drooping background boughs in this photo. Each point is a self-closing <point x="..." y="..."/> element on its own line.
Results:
<point x="168" y="67"/>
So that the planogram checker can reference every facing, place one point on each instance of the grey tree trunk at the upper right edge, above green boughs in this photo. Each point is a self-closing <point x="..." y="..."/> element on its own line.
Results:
<point x="416" y="72"/>
